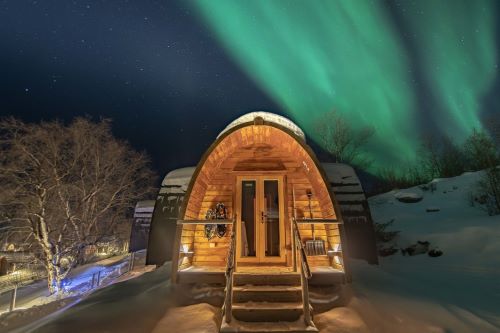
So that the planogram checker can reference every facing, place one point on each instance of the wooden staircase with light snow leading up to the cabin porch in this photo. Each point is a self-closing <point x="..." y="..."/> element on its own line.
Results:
<point x="267" y="303"/>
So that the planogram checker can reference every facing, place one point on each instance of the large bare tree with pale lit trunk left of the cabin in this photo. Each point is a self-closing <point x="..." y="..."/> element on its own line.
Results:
<point x="66" y="187"/>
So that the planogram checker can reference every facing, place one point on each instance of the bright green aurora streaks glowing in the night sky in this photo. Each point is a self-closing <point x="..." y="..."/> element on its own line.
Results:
<point x="316" y="56"/>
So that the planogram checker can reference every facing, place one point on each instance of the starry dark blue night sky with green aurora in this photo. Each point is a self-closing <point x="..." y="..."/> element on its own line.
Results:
<point x="173" y="74"/>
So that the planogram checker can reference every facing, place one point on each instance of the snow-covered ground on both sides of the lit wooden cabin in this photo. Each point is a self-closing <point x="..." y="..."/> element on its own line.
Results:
<point x="457" y="292"/>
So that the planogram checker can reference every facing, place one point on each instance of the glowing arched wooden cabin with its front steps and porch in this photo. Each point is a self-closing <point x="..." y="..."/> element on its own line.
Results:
<point x="281" y="230"/>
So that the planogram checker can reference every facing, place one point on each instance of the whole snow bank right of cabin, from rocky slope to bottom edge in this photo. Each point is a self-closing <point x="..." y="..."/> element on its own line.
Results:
<point x="457" y="292"/>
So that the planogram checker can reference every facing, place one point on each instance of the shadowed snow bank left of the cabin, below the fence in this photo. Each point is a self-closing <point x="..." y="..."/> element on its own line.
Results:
<point x="134" y="305"/>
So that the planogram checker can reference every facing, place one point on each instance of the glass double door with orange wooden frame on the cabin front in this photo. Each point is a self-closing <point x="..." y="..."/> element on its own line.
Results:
<point x="260" y="220"/>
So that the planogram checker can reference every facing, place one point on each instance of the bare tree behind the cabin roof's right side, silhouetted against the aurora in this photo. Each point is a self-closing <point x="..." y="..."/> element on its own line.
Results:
<point x="342" y="141"/>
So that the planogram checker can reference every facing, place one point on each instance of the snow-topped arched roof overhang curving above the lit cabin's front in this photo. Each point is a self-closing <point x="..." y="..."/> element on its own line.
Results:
<point x="258" y="134"/>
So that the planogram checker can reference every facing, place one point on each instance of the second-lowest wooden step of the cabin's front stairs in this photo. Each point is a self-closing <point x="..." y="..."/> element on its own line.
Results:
<point x="267" y="311"/>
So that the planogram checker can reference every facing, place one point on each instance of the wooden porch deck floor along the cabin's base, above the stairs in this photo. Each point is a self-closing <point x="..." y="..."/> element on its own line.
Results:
<point x="321" y="275"/>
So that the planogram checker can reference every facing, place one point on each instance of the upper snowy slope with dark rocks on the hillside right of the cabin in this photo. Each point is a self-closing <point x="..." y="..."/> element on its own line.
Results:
<point x="467" y="235"/>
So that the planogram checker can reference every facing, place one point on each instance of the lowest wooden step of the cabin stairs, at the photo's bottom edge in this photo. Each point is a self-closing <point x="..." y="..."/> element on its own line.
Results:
<point x="271" y="327"/>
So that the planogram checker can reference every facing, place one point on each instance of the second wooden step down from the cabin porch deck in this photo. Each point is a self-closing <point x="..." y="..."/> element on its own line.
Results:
<point x="249" y="293"/>
